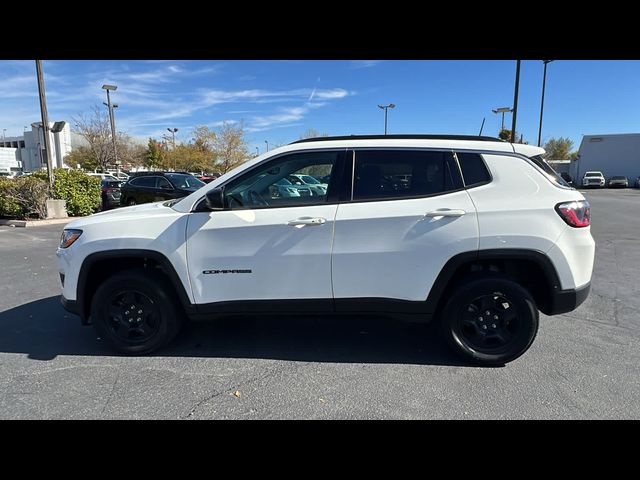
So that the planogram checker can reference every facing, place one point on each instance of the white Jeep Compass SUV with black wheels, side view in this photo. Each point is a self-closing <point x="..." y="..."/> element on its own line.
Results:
<point x="473" y="232"/>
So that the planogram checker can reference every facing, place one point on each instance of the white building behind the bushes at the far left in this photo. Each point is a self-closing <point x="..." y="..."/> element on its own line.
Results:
<point x="27" y="152"/>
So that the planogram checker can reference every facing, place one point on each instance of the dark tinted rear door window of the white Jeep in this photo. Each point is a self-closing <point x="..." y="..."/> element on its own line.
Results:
<point x="381" y="174"/>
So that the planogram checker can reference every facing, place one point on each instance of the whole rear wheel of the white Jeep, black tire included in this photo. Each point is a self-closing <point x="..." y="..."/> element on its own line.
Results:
<point x="499" y="337"/>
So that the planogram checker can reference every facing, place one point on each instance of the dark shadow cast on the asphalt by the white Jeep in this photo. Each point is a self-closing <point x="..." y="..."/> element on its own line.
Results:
<point x="43" y="330"/>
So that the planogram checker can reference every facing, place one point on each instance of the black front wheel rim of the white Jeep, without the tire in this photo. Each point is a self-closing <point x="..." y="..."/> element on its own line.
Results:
<point x="132" y="316"/>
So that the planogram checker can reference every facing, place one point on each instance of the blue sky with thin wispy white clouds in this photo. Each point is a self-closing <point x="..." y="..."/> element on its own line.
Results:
<point x="278" y="100"/>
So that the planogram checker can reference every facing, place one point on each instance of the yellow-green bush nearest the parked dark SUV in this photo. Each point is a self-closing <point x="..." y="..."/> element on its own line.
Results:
<point x="81" y="191"/>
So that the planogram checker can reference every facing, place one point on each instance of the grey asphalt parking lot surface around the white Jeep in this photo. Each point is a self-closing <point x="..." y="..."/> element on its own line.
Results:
<point x="582" y="365"/>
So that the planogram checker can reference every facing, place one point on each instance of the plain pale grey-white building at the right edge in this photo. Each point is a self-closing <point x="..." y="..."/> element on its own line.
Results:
<point x="611" y="154"/>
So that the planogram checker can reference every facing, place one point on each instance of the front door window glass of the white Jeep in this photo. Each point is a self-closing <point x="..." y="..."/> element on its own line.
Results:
<point x="269" y="185"/>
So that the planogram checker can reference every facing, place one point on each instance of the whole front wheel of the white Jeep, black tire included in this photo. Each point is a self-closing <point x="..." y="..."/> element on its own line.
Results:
<point x="152" y="298"/>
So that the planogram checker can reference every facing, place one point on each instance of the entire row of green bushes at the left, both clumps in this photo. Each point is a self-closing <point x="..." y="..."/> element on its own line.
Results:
<point x="24" y="198"/>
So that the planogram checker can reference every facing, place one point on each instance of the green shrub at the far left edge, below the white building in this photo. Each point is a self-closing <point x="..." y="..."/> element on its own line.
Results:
<point x="24" y="197"/>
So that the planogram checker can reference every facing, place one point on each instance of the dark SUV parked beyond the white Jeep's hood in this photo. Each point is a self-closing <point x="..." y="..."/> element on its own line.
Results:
<point x="157" y="186"/>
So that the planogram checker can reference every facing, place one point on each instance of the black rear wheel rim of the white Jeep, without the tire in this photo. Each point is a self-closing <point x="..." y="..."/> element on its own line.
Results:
<point x="488" y="323"/>
